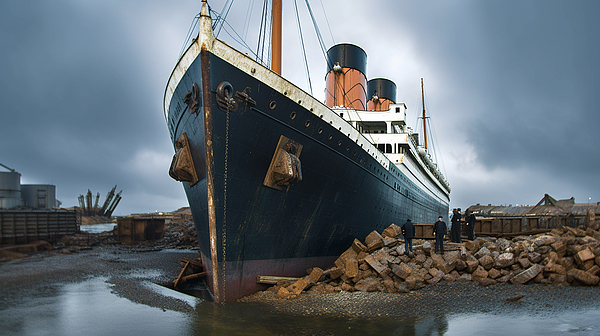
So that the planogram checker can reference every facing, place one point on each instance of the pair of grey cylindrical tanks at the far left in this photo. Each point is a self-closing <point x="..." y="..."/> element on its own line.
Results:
<point x="14" y="195"/>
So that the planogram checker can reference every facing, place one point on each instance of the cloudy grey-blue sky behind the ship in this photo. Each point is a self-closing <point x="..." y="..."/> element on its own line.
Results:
<point x="511" y="89"/>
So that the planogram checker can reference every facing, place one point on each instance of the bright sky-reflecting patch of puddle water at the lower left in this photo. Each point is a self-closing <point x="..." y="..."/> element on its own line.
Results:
<point x="88" y="308"/>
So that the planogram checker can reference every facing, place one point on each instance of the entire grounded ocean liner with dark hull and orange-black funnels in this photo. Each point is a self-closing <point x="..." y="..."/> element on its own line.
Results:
<point x="278" y="181"/>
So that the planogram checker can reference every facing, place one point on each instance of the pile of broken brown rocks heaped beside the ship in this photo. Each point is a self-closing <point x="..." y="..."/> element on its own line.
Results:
<point x="566" y="256"/>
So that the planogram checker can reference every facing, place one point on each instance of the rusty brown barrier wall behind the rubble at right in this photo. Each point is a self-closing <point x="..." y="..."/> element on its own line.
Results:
<point x="547" y="214"/>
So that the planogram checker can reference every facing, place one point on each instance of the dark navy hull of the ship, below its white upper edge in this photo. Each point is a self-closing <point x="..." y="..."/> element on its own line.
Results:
<point x="251" y="229"/>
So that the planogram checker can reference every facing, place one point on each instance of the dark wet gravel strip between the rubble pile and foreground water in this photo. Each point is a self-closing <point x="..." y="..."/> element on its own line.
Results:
<point x="441" y="299"/>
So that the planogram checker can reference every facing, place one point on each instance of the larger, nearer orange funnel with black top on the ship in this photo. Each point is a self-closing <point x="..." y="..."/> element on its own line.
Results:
<point x="346" y="82"/>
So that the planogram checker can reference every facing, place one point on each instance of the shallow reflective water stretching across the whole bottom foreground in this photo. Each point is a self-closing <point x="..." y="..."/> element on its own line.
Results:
<point x="91" y="308"/>
